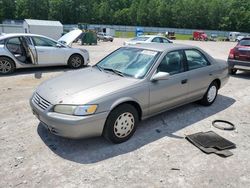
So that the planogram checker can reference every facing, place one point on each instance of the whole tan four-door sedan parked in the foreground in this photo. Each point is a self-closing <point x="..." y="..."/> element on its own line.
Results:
<point x="129" y="85"/>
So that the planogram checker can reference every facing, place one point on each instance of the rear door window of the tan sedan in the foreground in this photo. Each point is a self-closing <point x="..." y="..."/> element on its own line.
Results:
<point x="195" y="59"/>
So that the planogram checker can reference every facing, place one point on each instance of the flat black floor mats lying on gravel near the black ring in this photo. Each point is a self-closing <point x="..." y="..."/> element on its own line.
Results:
<point x="210" y="142"/>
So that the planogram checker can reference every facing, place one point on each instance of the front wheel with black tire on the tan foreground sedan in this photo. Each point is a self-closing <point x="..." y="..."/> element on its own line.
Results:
<point x="121" y="123"/>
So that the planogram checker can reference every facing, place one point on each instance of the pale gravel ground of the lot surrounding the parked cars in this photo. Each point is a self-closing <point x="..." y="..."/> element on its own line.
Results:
<point x="156" y="156"/>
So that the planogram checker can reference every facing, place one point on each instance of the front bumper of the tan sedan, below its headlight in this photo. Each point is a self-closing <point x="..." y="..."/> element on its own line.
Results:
<point x="75" y="127"/>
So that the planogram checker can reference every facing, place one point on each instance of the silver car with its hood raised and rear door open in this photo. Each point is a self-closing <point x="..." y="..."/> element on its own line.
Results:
<point x="29" y="50"/>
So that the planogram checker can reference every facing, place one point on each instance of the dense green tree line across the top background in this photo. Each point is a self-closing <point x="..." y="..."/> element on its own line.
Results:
<point x="193" y="14"/>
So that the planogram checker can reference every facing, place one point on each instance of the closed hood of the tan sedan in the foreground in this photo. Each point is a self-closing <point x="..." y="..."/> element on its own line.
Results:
<point x="82" y="86"/>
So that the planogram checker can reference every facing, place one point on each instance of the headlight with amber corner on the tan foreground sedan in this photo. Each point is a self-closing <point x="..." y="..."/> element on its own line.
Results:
<point x="75" y="110"/>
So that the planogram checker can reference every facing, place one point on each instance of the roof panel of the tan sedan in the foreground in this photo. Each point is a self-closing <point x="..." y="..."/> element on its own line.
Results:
<point x="162" y="47"/>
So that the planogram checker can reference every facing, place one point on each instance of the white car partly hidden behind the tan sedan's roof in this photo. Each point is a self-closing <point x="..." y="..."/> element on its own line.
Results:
<point x="148" y="39"/>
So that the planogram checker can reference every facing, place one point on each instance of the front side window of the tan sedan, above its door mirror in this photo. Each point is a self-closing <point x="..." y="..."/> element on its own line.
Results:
<point x="172" y="63"/>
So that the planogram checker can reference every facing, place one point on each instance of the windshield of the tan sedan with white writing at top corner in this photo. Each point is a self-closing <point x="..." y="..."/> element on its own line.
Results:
<point x="131" y="62"/>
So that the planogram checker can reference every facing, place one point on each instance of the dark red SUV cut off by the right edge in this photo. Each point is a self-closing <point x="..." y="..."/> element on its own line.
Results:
<point x="239" y="56"/>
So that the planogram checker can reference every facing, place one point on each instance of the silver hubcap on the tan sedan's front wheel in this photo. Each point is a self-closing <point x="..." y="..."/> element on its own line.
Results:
<point x="124" y="124"/>
